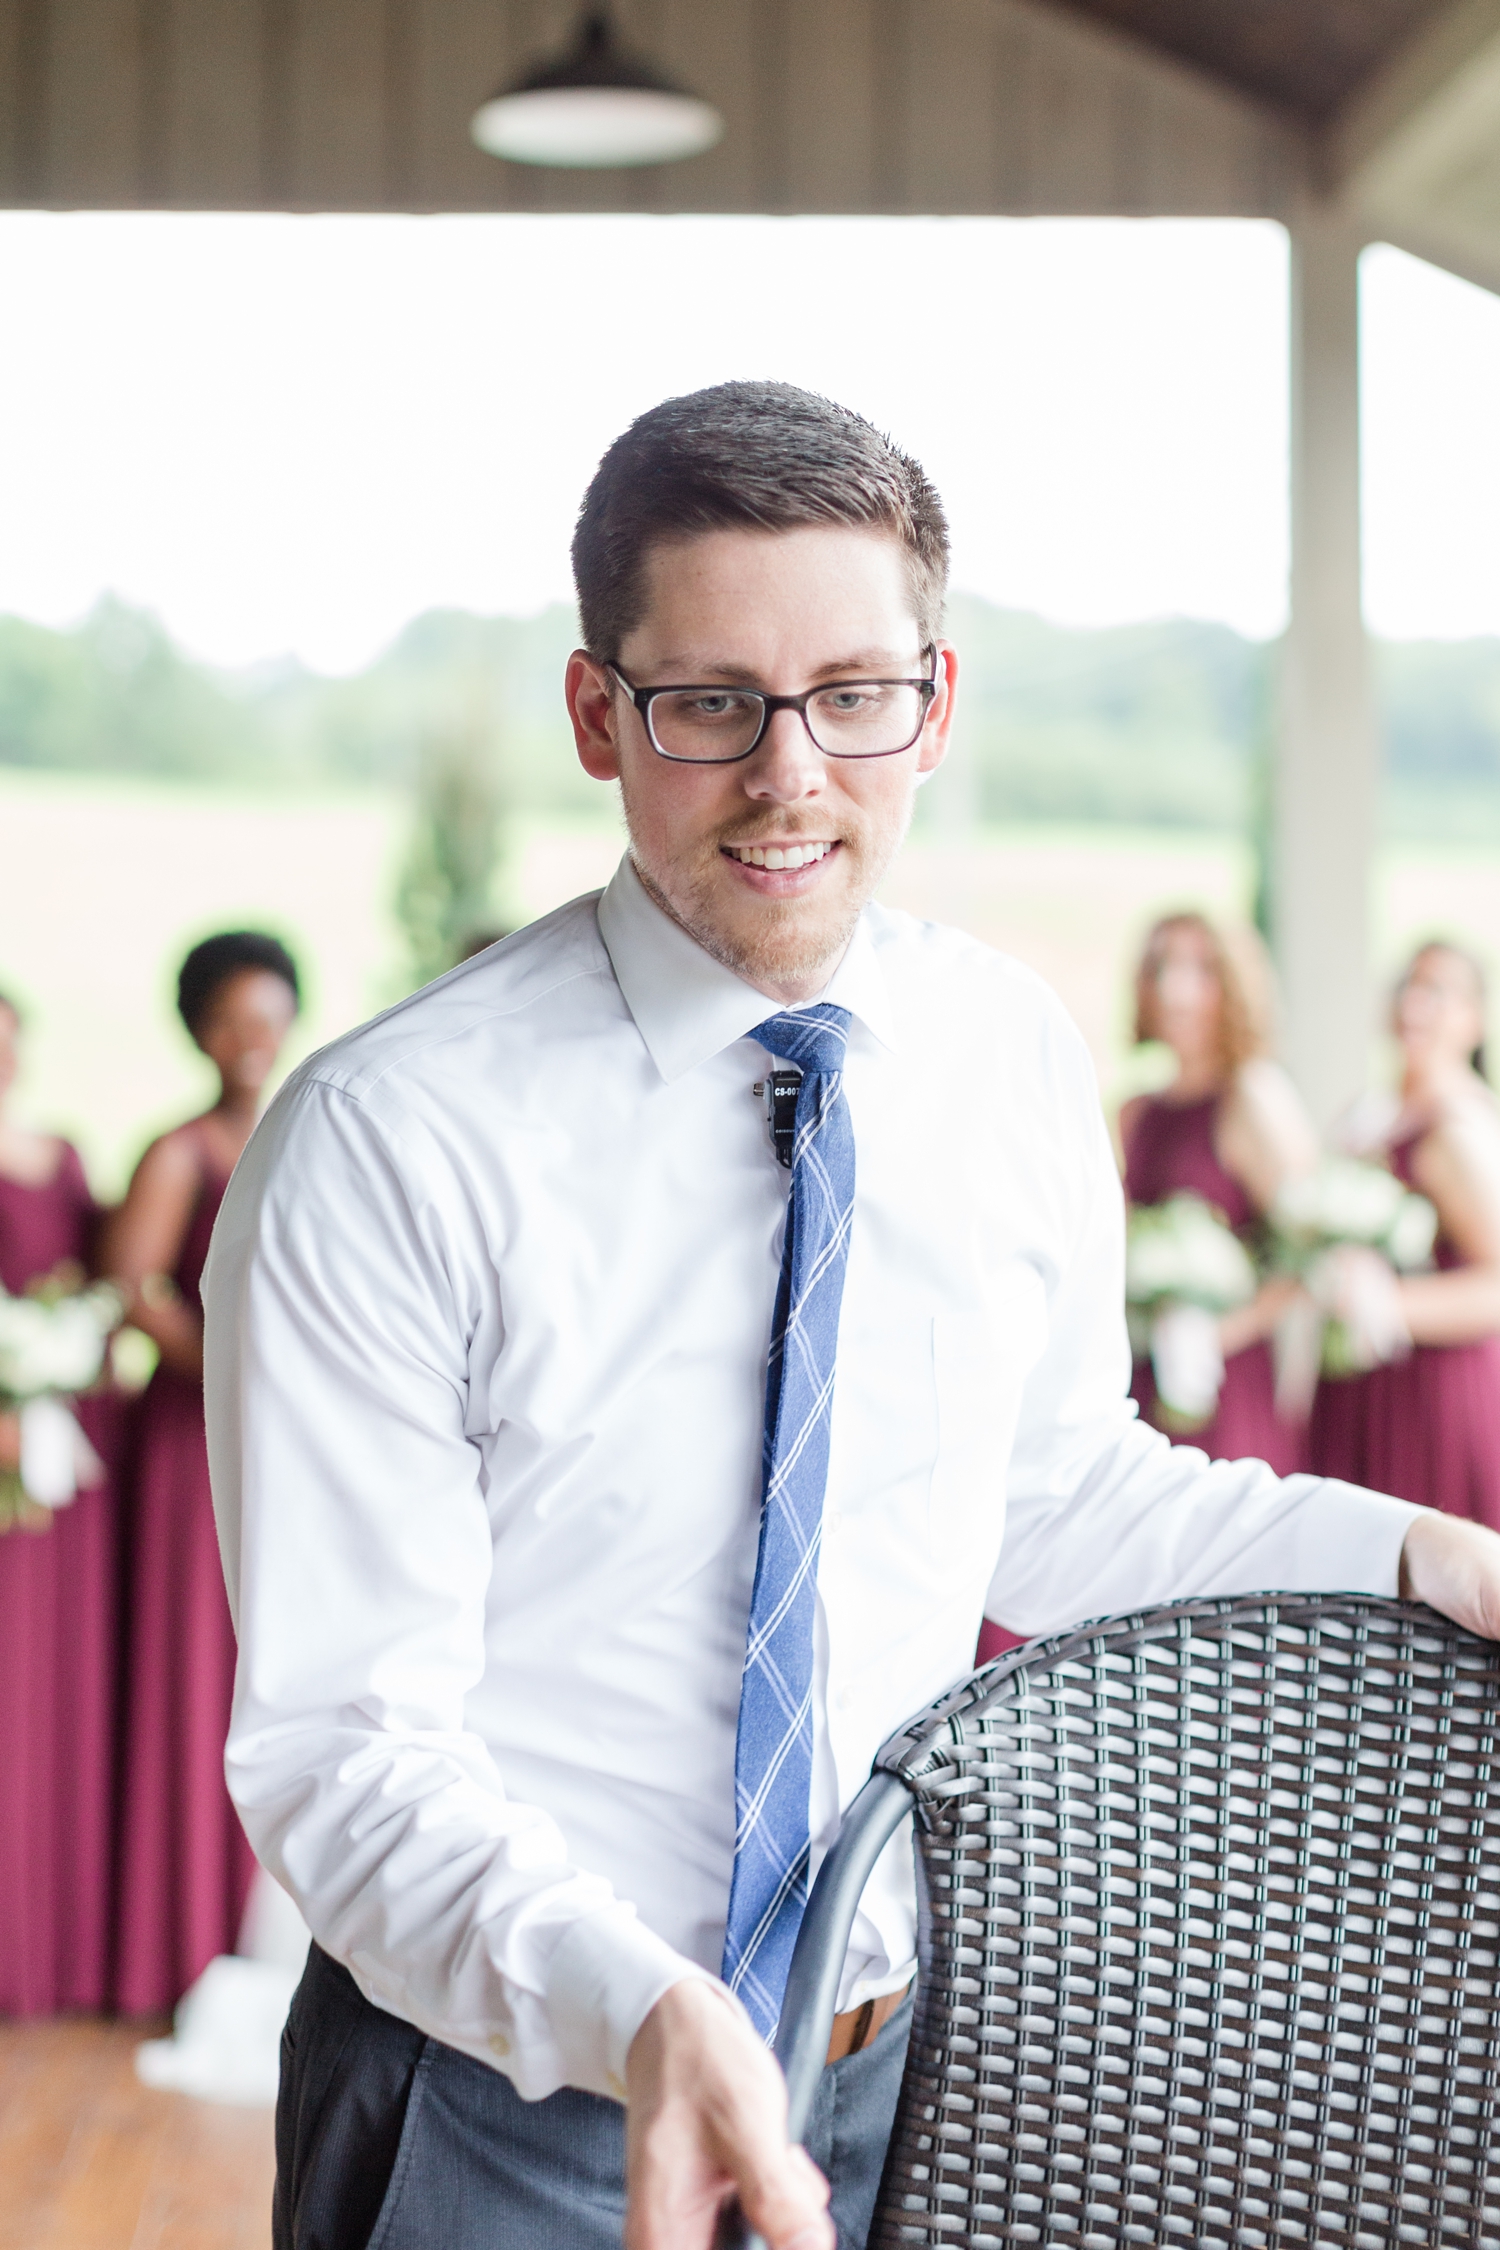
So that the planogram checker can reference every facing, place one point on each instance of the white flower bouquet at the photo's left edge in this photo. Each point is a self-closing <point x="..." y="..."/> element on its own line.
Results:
<point x="53" y="1344"/>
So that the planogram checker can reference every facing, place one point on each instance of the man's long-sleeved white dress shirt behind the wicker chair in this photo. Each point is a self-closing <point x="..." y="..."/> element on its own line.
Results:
<point x="487" y="1331"/>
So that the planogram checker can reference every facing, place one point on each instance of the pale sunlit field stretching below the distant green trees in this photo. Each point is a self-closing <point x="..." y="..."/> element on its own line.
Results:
<point x="107" y="883"/>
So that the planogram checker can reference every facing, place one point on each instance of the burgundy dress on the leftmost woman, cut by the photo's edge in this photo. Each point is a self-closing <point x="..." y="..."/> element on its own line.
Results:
<point x="57" y="1675"/>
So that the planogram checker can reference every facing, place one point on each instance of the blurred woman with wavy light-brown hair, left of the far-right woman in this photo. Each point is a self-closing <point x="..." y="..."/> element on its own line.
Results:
<point x="1231" y="1131"/>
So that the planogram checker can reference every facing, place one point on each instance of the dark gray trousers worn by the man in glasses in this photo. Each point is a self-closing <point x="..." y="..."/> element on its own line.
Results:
<point x="390" y="2141"/>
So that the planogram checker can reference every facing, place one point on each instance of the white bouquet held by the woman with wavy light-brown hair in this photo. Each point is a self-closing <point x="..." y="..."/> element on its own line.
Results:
<point x="1184" y="1268"/>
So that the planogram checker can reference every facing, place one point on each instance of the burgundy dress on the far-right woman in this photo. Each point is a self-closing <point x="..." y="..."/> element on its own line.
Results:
<point x="1425" y="1428"/>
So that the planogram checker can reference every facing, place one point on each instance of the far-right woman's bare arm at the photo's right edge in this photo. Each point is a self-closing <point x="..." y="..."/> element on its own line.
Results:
<point x="1458" y="1169"/>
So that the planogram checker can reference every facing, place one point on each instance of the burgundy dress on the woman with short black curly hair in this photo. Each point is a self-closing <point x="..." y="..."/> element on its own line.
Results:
<point x="183" y="1864"/>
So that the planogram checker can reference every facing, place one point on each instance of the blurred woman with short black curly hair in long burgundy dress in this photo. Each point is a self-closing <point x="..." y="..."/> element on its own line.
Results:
<point x="186" y="1866"/>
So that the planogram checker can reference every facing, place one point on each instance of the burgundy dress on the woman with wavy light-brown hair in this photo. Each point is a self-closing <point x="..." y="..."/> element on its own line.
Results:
<point x="1173" y="1153"/>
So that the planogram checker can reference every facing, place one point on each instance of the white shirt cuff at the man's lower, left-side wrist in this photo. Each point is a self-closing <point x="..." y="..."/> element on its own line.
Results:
<point x="604" y="1981"/>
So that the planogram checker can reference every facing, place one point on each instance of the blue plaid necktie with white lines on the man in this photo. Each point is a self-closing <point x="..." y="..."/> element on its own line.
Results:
<point x="775" y="1743"/>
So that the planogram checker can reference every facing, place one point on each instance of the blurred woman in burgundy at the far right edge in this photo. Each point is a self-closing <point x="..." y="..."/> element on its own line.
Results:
<point x="1427" y="1425"/>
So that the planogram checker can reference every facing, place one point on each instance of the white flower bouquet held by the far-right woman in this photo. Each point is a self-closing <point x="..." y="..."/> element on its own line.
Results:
<point x="1346" y="1232"/>
